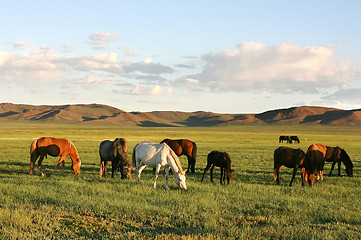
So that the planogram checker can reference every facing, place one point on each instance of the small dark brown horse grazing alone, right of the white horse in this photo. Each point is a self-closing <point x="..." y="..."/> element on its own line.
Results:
<point x="222" y="160"/>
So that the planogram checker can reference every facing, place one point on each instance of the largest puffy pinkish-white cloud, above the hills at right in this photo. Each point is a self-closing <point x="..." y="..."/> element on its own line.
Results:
<point x="258" y="67"/>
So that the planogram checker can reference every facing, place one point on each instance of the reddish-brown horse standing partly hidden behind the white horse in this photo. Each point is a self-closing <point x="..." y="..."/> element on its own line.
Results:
<point x="184" y="147"/>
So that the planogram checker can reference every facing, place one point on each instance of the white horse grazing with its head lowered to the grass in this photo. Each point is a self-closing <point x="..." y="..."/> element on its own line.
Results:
<point x="158" y="155"/>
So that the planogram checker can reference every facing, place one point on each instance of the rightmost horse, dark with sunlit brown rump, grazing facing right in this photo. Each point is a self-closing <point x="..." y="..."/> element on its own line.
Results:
<point x="336" y="155"/>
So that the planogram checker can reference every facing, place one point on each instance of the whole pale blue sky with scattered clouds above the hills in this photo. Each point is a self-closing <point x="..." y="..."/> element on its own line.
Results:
<point x="219" y="56"/>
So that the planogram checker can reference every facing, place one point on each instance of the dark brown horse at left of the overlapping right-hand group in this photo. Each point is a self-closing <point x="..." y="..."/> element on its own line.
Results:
<point x="291" y="158"/>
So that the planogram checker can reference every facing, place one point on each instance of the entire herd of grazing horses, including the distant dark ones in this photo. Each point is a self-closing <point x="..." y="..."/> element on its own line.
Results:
<point x="166" y="154"/>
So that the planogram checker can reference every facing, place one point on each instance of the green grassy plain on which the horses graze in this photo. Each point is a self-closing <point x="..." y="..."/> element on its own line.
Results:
<point x="253" y="206"/>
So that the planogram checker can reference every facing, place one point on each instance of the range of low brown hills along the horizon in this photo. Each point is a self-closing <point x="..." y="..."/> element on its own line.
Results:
<point x="103" y="114"/>
